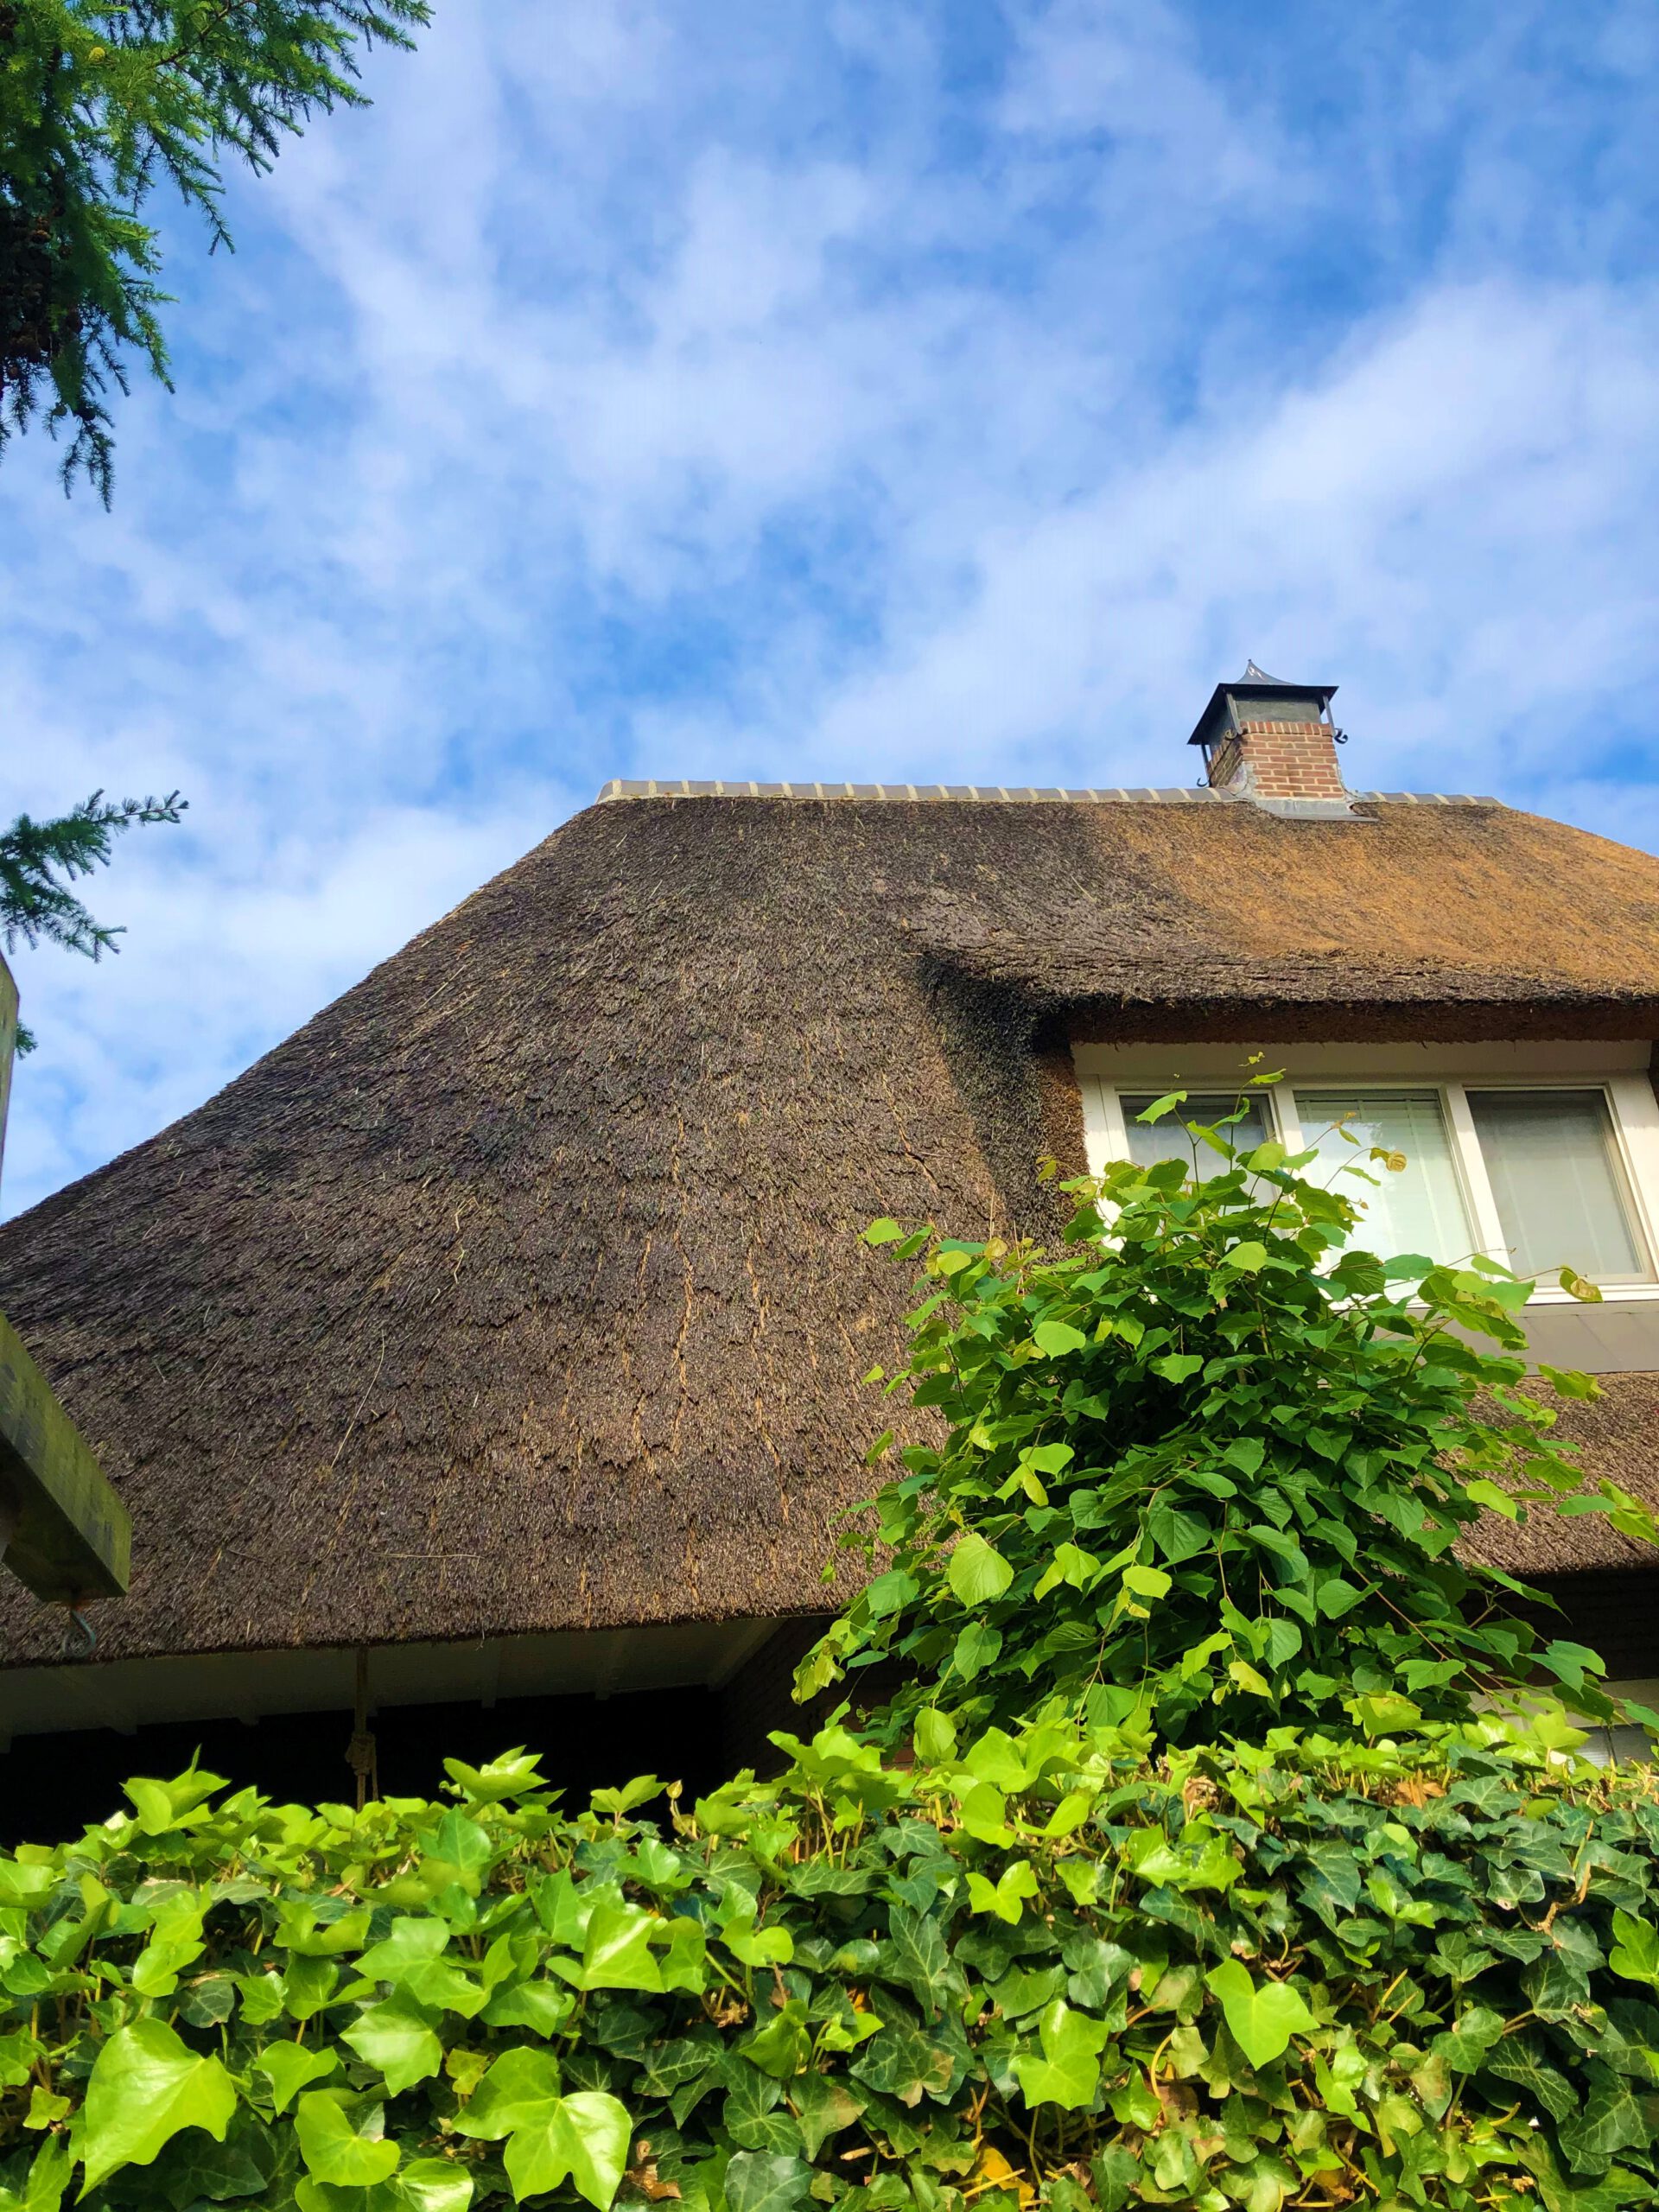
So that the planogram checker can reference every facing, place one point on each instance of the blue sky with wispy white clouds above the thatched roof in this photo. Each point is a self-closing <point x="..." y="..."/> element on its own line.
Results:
<point x="842" y="390"/>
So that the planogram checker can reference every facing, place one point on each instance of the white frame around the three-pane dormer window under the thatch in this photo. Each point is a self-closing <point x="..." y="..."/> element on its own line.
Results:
<point x="1620" y="1072"/>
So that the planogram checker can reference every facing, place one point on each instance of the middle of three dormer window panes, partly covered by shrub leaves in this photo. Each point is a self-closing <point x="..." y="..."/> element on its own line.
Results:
<point x="1415" y="1211"/>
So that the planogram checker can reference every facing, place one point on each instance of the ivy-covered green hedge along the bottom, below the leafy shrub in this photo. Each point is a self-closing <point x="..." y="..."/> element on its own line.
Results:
<point x="1317" y="1974"/>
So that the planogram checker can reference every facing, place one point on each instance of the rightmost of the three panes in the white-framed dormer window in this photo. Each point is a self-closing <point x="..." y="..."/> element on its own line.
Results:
<point x="1556" y="1182"/>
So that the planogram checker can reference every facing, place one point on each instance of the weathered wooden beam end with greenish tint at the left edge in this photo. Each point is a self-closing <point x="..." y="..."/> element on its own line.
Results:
<point x="63" y="1530"/>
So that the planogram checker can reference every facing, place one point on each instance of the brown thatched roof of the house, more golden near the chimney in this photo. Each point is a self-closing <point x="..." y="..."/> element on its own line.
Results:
<point x="521" y="1291"/>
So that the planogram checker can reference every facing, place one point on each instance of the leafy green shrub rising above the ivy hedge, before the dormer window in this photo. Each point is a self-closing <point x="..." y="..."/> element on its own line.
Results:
<point x="1209" y="1465"/>
